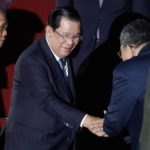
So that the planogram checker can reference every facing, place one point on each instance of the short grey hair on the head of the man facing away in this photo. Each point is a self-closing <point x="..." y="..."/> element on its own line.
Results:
<point x="135" y="33"/>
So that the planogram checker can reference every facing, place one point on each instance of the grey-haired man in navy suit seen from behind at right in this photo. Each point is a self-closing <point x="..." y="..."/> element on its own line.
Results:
<point x="125" y="111"/>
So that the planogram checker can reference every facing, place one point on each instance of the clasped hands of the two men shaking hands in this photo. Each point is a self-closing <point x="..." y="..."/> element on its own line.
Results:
<point x="94" y="125"/>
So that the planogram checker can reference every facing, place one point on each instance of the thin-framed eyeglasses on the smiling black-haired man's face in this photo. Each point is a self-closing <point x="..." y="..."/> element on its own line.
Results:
<point x="67" y="37"/>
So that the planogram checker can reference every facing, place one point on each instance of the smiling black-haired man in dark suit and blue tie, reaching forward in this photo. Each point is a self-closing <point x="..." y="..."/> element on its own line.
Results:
<point x="42" y="113"/>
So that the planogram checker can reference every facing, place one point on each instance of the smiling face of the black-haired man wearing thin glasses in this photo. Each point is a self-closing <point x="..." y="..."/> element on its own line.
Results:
<point x="65" y="38"/>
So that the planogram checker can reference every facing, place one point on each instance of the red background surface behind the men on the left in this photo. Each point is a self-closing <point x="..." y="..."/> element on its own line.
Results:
<point x="41" y="8"/>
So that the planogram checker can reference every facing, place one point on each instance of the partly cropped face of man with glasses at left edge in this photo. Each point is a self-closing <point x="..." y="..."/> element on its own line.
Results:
<point x="3" y="26"/>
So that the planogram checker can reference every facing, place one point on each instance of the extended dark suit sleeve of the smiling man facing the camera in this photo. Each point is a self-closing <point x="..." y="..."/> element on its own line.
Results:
<point x="35" y="79"/>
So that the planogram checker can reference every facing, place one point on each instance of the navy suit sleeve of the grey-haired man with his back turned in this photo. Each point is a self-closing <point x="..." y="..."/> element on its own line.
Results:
<point x="122" y="103"/>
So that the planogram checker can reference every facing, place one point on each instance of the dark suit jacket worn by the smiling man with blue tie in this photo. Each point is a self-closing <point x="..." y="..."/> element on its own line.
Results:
<point x="42" y="114"/>
